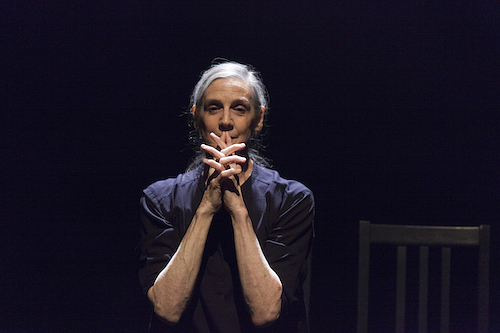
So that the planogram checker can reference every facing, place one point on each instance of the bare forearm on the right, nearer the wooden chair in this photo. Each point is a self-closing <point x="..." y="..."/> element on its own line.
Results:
<point x="261" y="285"/>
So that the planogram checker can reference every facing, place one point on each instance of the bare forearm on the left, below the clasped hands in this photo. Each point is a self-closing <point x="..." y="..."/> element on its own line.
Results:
<point x="174" y="285"/>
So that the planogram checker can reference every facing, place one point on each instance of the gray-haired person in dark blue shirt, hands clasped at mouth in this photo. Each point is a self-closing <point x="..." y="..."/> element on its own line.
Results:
<point x="226" y="245"/>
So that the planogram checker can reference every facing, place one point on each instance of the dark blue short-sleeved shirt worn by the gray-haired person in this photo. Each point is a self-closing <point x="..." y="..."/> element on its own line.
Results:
<point x="282" y="213"/>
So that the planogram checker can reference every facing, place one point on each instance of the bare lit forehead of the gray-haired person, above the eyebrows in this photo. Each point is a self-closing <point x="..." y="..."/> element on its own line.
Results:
<point x="229" y="88"/>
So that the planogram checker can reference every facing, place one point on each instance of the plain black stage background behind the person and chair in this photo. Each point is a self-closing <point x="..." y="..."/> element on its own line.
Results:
<point x="387" y="110"/>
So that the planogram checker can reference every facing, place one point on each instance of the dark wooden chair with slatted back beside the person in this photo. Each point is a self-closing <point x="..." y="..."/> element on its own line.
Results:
<point x="424" y="237"/>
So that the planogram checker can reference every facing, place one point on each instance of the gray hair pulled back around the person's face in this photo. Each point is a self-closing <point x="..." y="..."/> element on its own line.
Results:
<point x="229" y="69"/>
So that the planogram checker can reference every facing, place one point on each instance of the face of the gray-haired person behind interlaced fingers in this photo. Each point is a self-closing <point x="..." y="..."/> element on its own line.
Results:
<point x="228" y="107"/>
